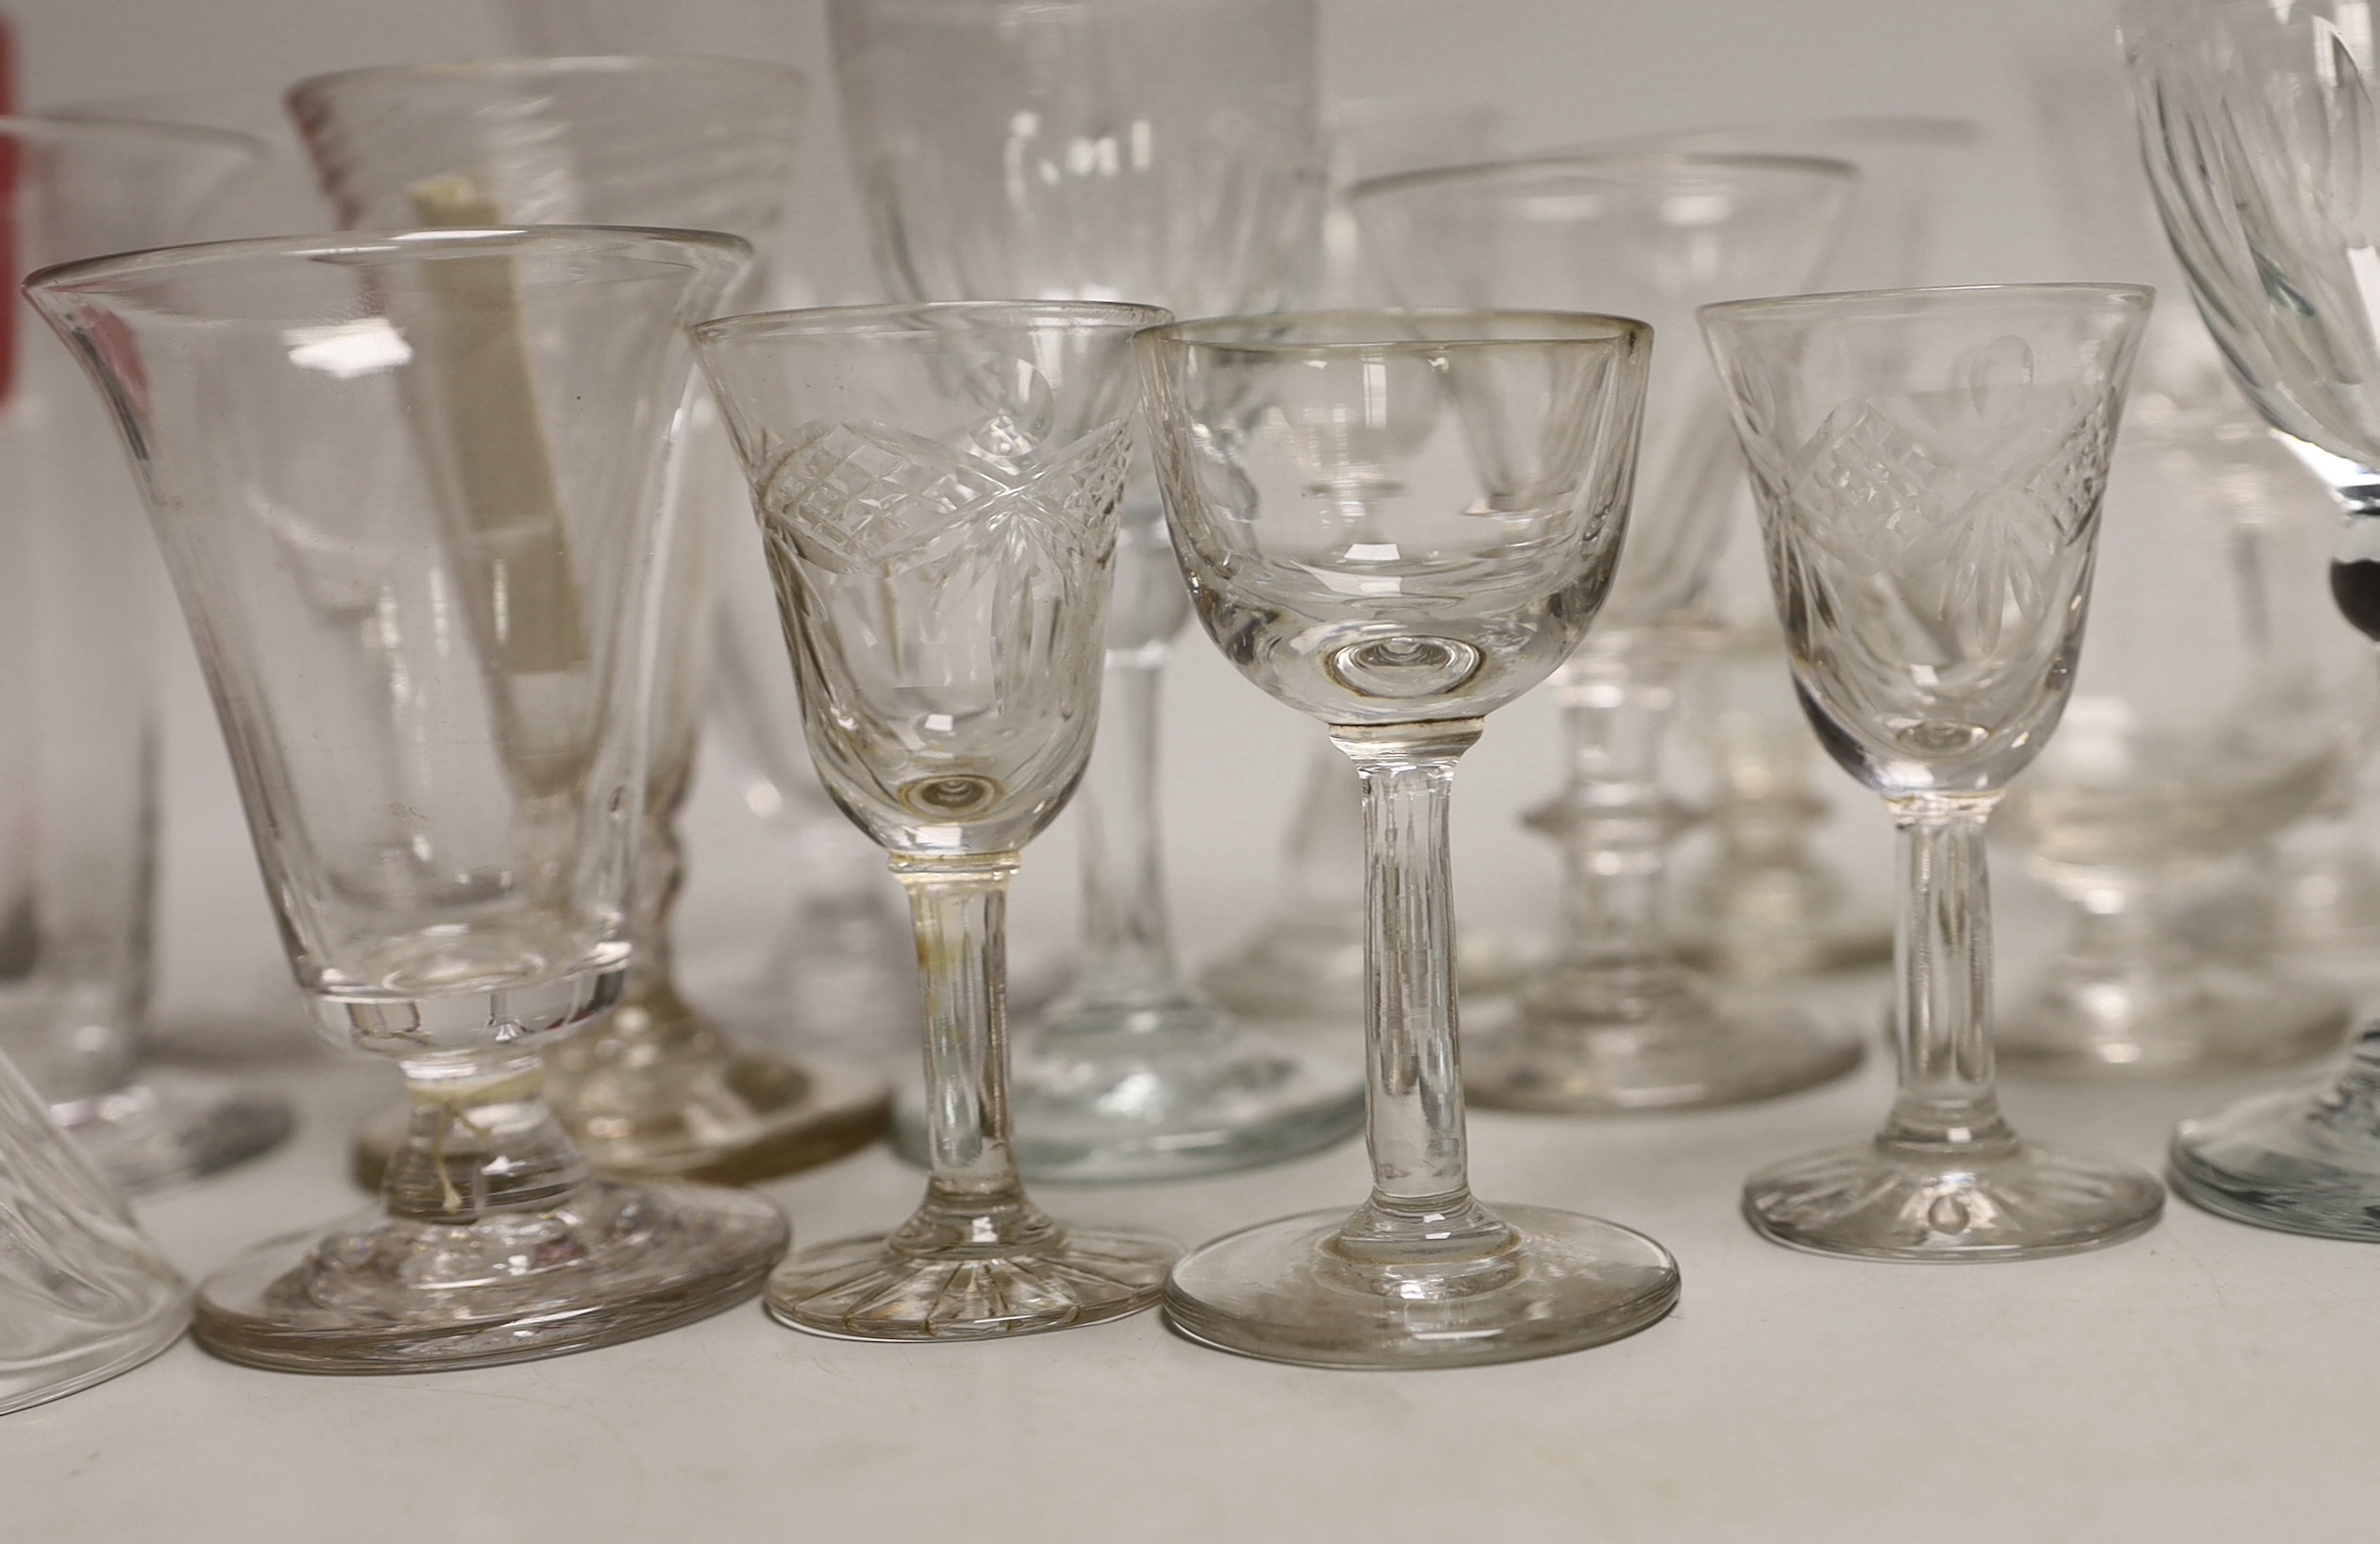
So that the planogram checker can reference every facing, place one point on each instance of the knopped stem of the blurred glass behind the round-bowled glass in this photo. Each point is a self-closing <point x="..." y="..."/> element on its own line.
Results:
<point x="1615" y="820"/>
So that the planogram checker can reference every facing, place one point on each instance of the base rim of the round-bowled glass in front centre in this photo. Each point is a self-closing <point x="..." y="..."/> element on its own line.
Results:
<point x="1389" y="1348"/>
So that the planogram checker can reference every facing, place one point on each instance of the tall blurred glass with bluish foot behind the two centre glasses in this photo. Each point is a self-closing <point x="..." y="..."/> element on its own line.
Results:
<point x="1170" y="153"/>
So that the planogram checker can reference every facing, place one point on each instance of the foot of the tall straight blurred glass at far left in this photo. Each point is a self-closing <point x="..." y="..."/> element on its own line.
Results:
<point x="175" y="1126"/>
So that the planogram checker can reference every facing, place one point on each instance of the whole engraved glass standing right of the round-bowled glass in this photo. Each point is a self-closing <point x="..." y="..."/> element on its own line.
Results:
<point x="1929" y="472"/>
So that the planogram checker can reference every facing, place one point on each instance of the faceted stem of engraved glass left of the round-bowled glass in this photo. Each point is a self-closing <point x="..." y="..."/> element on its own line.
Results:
<point x="975" y="1198"/>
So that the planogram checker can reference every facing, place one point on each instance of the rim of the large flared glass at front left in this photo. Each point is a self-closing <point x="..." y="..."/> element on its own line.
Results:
<point x="634" y="244"/>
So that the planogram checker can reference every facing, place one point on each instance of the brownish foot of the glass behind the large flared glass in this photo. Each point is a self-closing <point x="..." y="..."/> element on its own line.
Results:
<point x="751" y="1119"/>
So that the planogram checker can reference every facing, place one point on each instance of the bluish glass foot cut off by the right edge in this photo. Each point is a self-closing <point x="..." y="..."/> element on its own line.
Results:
<point x="2303" y="1162"/>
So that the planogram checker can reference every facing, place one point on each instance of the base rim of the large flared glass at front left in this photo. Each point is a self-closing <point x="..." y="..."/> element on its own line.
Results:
<point x="349" y="1343"/>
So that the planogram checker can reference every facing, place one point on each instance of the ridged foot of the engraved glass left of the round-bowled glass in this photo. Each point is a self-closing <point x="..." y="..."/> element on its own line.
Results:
<point x="872" y="1288"/>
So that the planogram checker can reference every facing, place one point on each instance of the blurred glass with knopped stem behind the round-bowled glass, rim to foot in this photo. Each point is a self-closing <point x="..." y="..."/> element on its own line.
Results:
<point x="1615" y="1019"/>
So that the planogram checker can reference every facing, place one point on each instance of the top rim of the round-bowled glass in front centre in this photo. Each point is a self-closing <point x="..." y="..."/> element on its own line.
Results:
<point x="1396" y="332"/>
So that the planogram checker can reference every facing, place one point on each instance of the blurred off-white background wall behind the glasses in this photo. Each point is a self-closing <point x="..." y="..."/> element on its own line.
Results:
<point x="1560" y="70"/>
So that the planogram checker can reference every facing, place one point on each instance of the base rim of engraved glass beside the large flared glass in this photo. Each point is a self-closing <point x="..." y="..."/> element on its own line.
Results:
<point x="1144" y="1253"/>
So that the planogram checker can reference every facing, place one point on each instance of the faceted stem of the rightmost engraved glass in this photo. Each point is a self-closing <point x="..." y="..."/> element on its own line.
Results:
<point x="1943" y="953"/>
